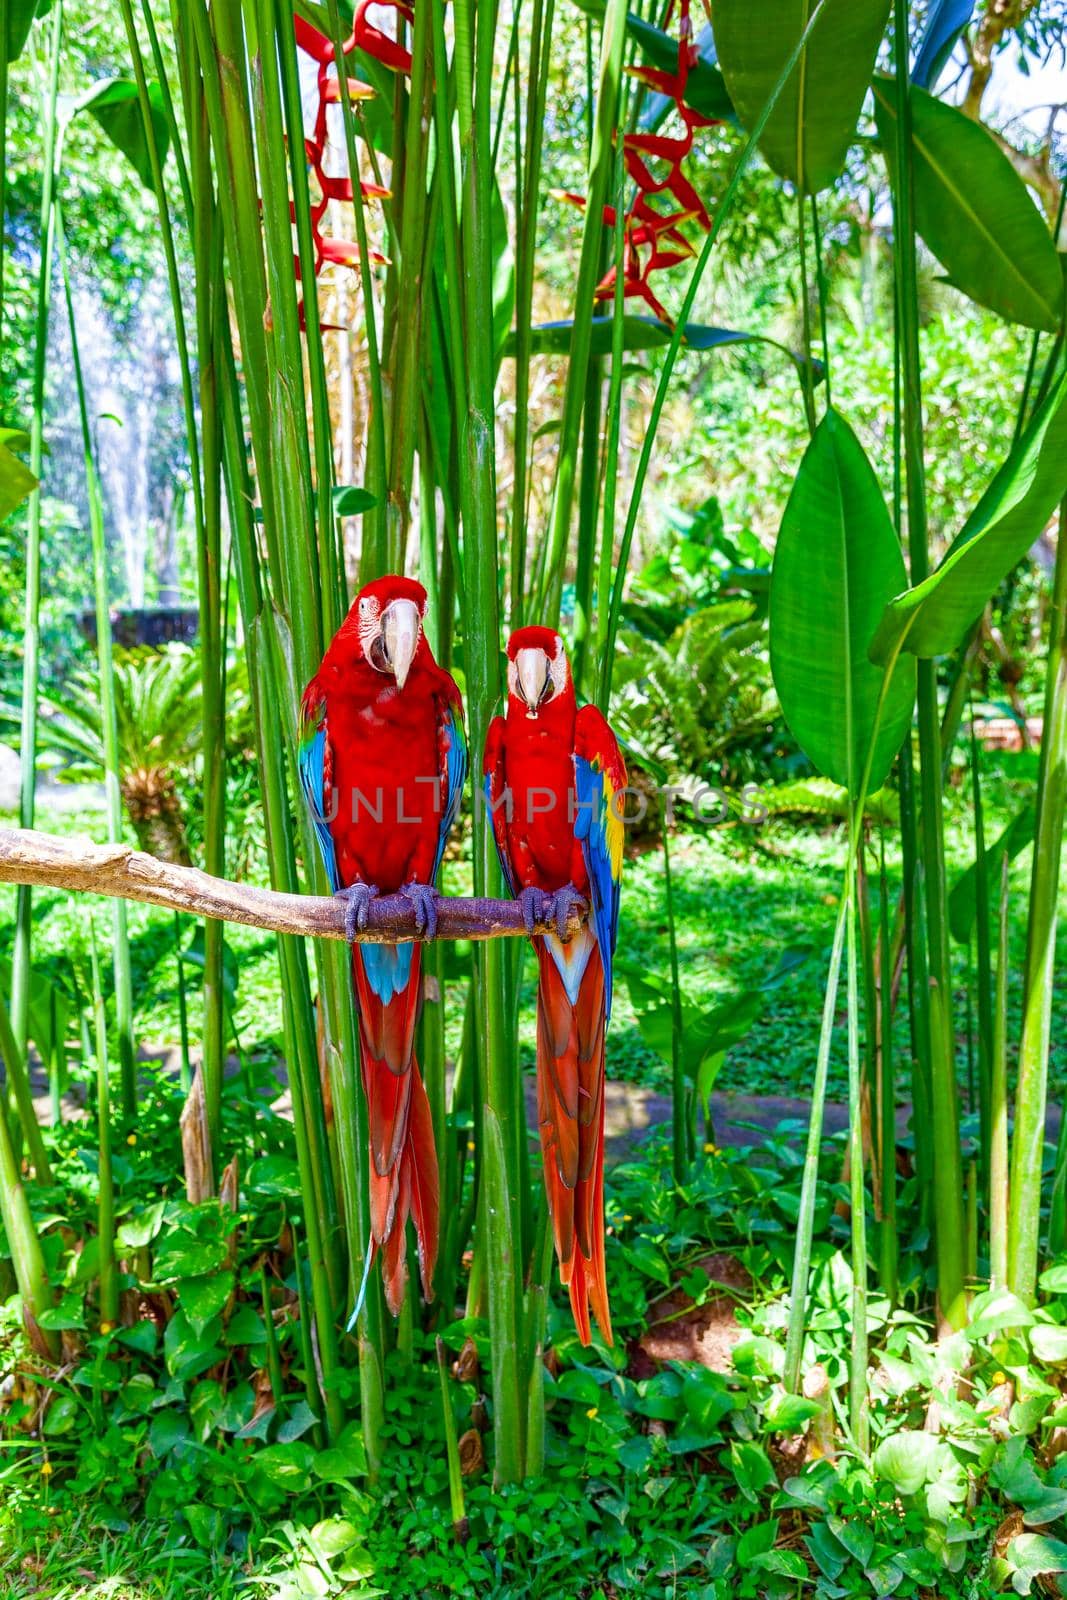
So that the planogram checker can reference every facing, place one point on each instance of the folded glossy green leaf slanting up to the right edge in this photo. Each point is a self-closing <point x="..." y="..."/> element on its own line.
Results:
<point x="932" y="618"/>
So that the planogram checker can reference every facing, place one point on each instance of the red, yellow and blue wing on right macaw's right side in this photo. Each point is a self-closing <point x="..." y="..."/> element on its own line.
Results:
<point x="599" y="778"/>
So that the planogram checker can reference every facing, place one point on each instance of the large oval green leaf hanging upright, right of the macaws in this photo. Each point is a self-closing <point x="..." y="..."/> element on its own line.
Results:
<point x="837" y="564"/>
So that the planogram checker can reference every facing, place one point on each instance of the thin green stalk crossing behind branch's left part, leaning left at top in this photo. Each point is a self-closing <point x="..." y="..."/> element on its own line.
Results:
<point x="110" y="721"/>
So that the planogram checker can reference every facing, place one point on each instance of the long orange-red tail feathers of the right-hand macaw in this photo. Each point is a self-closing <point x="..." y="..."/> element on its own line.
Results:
<point x="570" y="1110"/>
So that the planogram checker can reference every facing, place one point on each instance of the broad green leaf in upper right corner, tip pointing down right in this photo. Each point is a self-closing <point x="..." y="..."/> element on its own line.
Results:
<point x="975" y="212"/>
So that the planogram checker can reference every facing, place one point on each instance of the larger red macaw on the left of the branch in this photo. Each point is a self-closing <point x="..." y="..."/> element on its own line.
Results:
<point x="383" y="764"/>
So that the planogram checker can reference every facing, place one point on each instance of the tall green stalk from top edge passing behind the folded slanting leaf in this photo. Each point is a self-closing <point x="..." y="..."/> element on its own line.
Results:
<point x="948" y="1172"/>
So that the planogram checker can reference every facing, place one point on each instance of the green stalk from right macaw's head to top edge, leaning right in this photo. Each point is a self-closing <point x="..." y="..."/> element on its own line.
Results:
<point x="597" y="186"/>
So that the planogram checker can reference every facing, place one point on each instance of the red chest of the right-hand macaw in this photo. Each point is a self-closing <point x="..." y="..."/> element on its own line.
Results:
<point x="541" y="806"/>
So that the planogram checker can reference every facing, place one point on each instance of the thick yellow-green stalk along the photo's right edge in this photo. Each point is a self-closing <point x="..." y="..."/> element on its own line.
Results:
<point x="1037" y="990"/>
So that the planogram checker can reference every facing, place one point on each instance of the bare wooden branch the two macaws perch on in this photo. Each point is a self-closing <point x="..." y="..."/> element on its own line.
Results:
<point x="121" y="873"/>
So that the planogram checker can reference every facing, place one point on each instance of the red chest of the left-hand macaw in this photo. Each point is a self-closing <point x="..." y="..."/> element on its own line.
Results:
<point x="386" y="786"/>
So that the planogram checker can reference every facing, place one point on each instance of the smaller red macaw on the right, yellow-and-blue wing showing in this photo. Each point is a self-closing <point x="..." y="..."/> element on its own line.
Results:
<point x="553" y="774"/>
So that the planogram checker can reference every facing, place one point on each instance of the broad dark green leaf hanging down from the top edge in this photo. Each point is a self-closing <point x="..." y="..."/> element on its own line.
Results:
<point x="813" y="124"/>
